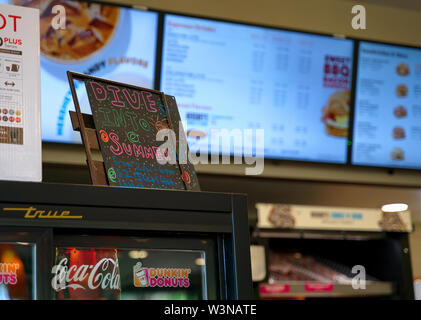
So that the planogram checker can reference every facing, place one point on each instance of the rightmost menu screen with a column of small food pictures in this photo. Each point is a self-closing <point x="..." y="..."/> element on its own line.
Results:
<point x="387" y="122"/>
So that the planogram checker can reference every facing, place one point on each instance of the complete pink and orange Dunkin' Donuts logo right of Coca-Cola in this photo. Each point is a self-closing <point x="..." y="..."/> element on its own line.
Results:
<point x="160" y="277"/>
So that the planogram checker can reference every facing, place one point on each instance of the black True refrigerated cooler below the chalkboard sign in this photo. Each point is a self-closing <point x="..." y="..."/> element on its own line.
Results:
<point x="83" y="242"/>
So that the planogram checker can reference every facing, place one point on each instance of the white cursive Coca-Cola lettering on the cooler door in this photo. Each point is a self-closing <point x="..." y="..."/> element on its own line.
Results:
<point x="97" y="276"/>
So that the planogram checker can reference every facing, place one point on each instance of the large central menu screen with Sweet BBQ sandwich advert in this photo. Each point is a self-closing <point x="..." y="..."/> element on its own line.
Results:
<point x="295" y="86"/>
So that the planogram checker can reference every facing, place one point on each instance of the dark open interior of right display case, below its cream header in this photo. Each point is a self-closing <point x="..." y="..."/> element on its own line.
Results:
<point x="319" y="264"/>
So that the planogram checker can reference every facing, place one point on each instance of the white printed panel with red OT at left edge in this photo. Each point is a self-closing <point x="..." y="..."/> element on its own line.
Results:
<point x="20" y="126"/>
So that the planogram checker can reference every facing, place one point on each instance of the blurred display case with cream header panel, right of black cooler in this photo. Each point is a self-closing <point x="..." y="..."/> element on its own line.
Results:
<point x="304" y="252"/>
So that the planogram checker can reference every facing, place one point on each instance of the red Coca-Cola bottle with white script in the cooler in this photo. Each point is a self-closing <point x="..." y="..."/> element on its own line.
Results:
<point x="86" y="274"/>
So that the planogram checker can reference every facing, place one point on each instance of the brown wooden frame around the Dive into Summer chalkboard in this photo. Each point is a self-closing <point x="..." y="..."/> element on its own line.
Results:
<point x="84" y="123"/>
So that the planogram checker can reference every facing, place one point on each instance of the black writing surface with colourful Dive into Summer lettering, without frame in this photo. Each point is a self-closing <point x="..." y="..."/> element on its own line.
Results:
<point x="127" y="121"/>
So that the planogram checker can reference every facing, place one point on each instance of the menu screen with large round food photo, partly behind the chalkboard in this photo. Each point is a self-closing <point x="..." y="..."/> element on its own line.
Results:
<point x="100" y="40"/>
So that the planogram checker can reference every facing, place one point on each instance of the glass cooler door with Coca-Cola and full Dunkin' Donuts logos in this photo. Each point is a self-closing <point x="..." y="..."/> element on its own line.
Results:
<point x="127" y="268"/>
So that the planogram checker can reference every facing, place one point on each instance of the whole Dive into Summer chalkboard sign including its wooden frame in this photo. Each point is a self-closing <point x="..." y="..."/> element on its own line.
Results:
<point x="124" y="126"/>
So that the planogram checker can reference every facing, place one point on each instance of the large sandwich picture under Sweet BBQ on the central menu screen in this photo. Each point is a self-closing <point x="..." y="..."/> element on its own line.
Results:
<point x="336" y="114"/>
